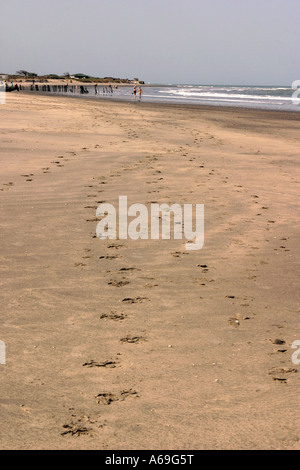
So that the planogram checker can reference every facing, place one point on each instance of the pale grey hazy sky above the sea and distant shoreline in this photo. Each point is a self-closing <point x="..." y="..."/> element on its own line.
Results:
<point x="159" y="41"/>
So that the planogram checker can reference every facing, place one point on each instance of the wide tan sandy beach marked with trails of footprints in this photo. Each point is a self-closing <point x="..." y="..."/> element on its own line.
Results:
<point x="141" y="344"/>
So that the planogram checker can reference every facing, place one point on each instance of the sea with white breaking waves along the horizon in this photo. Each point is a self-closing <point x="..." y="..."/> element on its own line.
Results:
<point x="285" y="98"/>
